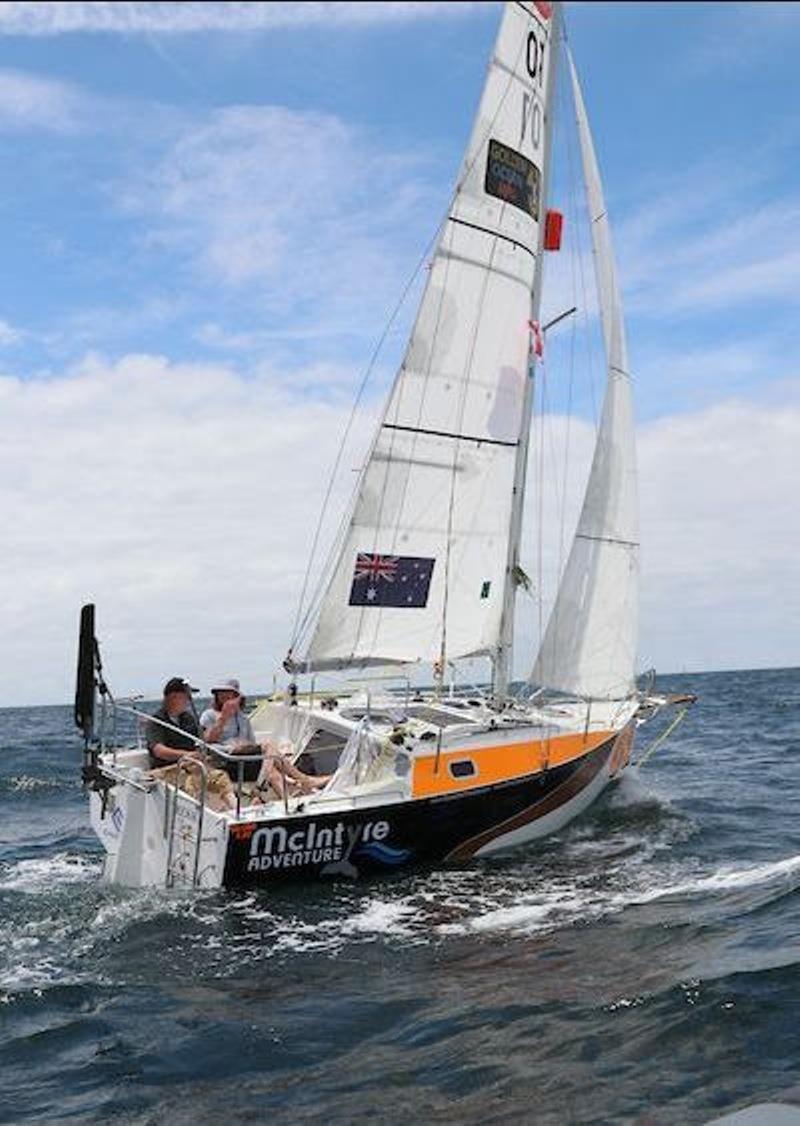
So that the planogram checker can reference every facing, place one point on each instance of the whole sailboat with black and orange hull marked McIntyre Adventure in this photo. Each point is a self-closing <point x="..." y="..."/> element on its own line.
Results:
<point x="428" y="568"/>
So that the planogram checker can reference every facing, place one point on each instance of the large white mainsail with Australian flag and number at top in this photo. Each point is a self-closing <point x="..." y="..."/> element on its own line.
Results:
<point x="422" y="571"/>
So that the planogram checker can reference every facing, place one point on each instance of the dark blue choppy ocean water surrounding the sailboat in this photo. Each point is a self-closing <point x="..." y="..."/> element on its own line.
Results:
<point x="642" y="967"/>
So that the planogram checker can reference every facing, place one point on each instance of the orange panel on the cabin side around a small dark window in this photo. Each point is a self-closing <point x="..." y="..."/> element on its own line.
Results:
<point x="500" y="763"/>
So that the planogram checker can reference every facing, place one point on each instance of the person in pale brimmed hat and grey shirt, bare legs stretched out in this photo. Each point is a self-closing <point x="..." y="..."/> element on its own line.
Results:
<point x="227" y="726"/>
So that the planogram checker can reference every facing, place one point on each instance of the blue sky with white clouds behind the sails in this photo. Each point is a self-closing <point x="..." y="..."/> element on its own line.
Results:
<point x="209" y="213"/>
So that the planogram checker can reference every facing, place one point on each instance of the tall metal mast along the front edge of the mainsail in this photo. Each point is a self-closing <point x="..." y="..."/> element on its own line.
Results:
<point x="504" y="654"/>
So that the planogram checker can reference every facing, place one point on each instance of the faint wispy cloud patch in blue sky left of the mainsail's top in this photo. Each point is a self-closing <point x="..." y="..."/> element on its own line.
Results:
<point x="292" y="210"/>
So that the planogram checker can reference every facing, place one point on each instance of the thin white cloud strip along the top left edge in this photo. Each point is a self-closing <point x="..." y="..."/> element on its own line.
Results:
<point x="55" y="19"/>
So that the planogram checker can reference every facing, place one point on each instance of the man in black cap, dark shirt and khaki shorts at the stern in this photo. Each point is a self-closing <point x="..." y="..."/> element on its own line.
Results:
<point x="167" y="746"/>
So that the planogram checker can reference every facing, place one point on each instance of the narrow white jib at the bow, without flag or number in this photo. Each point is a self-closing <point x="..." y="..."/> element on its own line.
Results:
<point x="591" y="641"/>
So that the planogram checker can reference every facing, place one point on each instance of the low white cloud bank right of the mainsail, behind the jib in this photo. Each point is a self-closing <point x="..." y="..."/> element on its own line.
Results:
<point x="721" y="533"/>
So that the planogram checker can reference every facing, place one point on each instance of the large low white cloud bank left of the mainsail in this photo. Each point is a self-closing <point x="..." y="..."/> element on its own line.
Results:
<point x="182" y="498"/>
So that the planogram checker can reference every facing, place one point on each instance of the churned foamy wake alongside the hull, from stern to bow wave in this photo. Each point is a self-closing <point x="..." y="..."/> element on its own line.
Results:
<point x="59" y="925"/>
